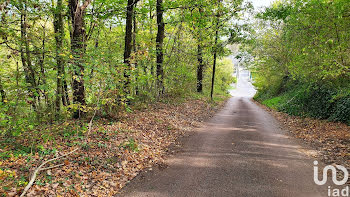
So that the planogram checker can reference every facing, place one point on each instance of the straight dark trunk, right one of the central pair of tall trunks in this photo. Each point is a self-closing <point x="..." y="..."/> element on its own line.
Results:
<point x="159" y="47"/>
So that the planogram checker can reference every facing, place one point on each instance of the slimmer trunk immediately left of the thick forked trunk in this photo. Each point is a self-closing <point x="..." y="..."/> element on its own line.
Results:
<point x="59" y="35"/>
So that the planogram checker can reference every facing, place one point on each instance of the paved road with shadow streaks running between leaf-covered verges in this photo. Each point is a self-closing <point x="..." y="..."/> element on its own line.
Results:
<point x="242" y="151"/>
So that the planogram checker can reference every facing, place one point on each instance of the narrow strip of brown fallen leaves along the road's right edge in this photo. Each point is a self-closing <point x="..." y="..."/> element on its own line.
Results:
<point x="330" y="139"/>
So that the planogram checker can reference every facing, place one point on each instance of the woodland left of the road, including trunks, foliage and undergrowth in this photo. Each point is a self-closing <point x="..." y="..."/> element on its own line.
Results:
<point x="68" y="63"/>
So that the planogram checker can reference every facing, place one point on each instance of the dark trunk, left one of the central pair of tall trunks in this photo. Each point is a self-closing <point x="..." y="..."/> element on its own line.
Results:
<point x="128" y="44"/>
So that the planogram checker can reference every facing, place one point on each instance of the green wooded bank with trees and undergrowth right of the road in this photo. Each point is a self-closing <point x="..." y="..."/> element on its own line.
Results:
<point x="300" y="55"/>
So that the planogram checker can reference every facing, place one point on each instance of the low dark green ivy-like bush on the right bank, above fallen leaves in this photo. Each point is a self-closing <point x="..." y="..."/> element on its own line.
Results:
<point x="317" y="101"/>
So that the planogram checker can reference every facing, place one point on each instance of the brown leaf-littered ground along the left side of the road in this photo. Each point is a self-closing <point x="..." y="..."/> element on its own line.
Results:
<point x="113" y="154"/>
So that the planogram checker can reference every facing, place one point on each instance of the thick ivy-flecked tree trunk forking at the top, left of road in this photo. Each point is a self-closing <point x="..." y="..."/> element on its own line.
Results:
<point x="78" y="51"/>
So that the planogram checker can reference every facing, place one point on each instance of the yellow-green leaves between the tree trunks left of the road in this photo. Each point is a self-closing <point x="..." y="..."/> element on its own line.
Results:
<point x="31" y="96"/>
